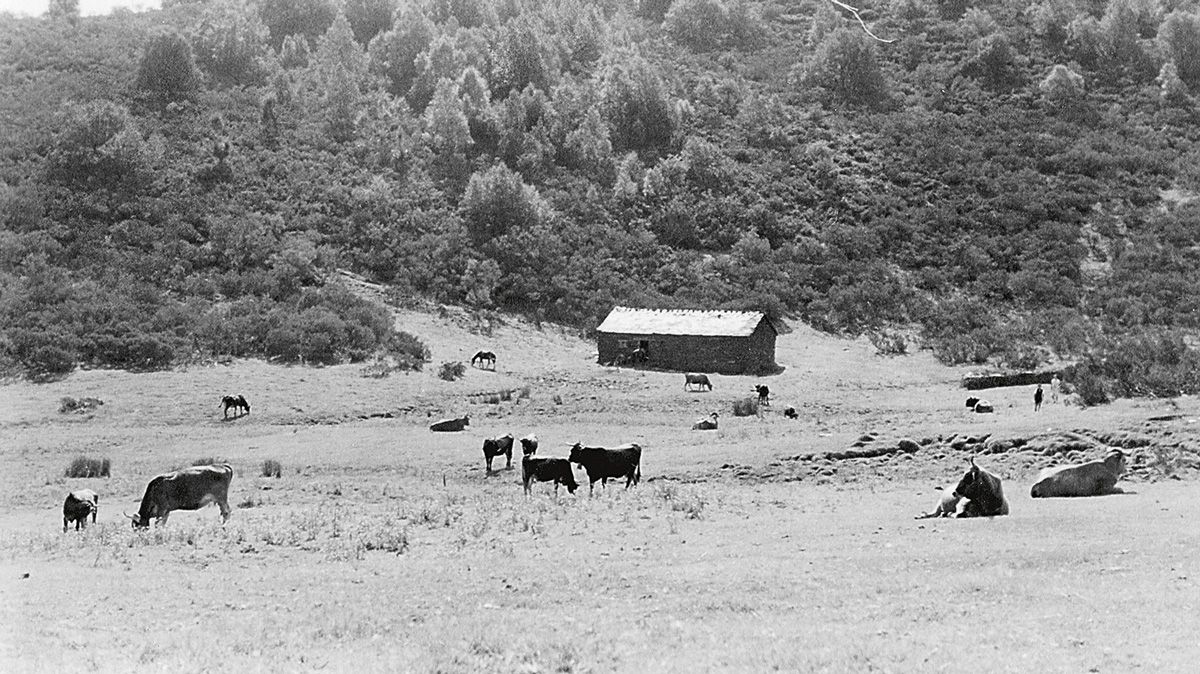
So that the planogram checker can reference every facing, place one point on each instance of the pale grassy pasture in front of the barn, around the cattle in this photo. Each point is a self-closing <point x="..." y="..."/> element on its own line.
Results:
<point x="763" y="546"/>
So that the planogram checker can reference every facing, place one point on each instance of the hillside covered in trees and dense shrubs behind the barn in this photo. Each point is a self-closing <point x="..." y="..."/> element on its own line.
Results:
<point x="1004" y="182"/>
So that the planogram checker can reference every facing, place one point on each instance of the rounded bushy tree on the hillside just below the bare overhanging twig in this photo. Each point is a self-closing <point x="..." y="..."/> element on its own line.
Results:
<point x="847" y="68"/>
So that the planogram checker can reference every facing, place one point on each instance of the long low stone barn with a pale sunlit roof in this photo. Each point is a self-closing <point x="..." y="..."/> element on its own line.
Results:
<point x="689" y="341"/>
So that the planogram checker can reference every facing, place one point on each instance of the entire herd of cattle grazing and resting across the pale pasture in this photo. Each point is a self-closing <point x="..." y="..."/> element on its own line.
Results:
<point x="977" y="495"/>
